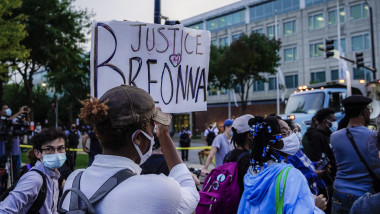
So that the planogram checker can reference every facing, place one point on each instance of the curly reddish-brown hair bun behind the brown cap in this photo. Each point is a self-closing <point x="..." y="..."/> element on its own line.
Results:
<point x="93" y="111"/>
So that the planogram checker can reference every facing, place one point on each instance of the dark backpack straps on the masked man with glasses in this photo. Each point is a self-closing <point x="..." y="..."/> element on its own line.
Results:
<point x="41" y="197"/>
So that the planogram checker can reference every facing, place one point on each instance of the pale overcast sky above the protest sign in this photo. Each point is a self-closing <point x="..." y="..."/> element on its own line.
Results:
<point x="143" y="10"/>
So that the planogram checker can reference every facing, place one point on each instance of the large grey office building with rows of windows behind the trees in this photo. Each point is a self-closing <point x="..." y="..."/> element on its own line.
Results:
<point x="303" y="26"/>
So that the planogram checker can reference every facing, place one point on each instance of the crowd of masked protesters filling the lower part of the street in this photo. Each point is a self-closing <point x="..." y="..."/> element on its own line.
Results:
<point x="137" y="168"/>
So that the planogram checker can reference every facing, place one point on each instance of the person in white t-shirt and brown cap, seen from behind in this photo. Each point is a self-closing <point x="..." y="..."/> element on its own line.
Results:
<point x="124" y="119"/>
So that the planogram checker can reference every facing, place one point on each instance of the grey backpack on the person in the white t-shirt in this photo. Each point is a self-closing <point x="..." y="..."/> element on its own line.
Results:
<point x="80" y="204"/>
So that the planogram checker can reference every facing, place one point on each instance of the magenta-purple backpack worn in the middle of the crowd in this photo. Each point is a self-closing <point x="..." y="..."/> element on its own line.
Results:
<point x="221" y="191"/>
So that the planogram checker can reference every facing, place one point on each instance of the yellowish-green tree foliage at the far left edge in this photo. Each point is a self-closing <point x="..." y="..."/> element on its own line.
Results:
<point x="12" y="31"/>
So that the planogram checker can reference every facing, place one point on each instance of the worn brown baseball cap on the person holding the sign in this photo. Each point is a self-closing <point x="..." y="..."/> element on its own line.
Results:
<point x="130" y="105"/>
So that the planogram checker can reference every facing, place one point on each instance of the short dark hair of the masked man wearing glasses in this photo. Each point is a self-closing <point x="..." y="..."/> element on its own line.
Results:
<point x="45" y="136"/>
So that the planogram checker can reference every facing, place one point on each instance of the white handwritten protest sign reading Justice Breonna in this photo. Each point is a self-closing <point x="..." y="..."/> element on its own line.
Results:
<point x="170" y="62"/>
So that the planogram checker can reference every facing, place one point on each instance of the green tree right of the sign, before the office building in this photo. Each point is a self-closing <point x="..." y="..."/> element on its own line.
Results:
<point x="243" y="62"/>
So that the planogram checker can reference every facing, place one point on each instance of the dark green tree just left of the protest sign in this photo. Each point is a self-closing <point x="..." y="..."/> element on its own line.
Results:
<point x="55" y="31"/>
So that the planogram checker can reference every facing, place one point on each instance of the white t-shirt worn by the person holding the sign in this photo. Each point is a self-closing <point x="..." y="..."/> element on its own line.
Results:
<point x="141" y="194"/>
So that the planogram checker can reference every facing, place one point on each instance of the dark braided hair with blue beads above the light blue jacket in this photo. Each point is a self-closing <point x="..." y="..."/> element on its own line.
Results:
<point x="266" y="137"/>
